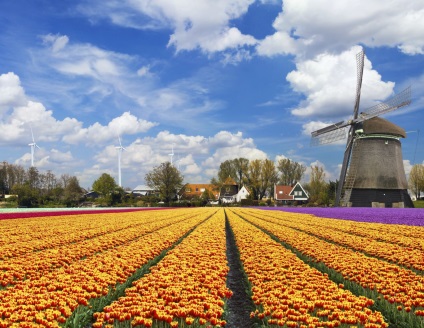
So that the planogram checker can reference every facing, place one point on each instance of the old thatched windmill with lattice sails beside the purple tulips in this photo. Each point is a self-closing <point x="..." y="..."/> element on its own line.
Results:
<point x="372" y="172"/>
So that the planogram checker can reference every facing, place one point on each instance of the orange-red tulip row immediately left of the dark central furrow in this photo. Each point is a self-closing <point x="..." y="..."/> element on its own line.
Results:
<point x="186" y="288"/>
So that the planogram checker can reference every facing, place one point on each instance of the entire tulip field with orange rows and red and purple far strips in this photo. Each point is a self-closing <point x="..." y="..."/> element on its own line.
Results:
<point x="171" y="268"/>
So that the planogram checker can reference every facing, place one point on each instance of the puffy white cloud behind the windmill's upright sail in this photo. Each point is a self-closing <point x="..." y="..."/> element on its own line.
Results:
<point x="329" y="84"/>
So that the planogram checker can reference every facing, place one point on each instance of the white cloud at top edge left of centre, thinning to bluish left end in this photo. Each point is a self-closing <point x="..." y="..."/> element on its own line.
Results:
<point x="203" y="24"/>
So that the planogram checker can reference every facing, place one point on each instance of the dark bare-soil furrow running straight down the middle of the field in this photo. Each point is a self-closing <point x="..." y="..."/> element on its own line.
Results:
<point x="240" y="305"/>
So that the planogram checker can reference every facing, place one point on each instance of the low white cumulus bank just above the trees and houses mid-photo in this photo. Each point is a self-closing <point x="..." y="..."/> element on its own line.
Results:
<point x="197" y="157"/>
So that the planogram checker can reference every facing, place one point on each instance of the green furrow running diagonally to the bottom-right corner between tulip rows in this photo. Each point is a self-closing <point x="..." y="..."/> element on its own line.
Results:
<point x="395" y="318"/>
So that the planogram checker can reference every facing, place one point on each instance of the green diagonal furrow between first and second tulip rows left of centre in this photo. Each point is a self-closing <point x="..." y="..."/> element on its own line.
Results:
<point x="82" y="317"/>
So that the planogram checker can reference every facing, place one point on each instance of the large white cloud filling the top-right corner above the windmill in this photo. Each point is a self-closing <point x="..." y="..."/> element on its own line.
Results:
<point x="307" y="28"/>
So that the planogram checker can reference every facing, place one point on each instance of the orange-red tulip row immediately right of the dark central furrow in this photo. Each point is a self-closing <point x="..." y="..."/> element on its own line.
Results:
<point x="289" y="293"/>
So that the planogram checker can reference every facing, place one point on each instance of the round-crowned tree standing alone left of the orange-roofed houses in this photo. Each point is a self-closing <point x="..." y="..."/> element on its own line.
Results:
<point x="166" y="179"/>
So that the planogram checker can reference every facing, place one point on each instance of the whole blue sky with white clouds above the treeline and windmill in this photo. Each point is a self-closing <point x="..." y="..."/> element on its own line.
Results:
<point x="212" y="79"/>
